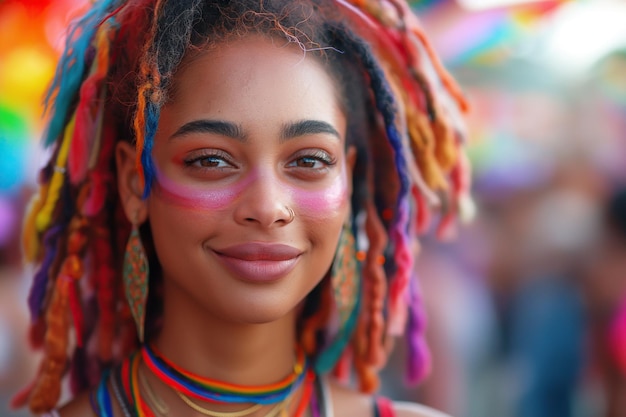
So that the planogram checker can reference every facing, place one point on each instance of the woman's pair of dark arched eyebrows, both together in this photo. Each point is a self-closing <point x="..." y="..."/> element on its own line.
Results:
<point x="234" y="131"/>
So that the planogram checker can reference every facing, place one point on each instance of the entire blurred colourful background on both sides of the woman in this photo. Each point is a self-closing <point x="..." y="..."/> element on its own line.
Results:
<point x="527" y="305"/>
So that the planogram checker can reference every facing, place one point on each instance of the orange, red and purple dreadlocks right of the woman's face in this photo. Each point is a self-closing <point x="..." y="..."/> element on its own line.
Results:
<point x="425" y="143"/>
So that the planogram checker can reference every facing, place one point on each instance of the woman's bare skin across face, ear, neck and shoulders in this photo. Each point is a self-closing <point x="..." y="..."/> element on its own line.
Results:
<point x="264" y="170"/>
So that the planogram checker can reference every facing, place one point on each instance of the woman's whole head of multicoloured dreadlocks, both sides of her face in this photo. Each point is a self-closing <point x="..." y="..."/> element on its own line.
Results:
<point x="110" y="85"/>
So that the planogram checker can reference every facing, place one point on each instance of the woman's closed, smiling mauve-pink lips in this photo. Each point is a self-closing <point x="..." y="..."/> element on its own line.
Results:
<point x="259" y="262"/>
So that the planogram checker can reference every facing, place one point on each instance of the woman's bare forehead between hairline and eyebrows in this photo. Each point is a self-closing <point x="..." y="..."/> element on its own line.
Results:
<point x="254" y="79"/>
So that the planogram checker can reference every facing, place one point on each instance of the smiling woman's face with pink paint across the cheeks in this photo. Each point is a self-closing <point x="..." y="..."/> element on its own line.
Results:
<point x="253" y="180"/>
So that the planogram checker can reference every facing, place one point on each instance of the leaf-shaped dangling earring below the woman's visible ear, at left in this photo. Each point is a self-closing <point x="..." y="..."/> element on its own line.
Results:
<point x="136" y="271"/>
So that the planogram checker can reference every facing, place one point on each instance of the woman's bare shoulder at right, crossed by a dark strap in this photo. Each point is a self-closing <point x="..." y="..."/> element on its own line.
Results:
<point x="347" y="402"/>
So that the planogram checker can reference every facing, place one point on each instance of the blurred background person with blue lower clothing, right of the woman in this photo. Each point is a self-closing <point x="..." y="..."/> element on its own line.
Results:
<point x="548" y="319"/>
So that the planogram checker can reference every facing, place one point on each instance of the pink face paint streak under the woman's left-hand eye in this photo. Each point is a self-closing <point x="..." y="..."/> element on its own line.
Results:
<point x="200" y="197"/>
